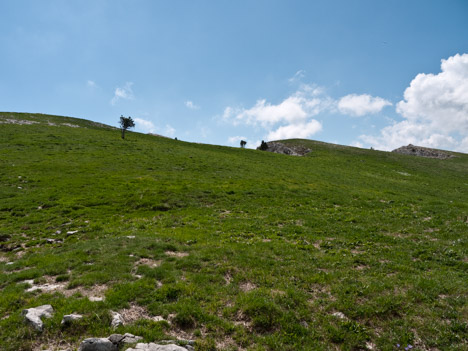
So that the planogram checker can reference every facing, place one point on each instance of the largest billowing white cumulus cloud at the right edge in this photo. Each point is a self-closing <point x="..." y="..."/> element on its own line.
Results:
<point x="434" y="111"/>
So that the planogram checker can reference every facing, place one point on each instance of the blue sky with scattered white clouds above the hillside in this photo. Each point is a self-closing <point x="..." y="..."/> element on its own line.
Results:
<point x="366" y="73"/>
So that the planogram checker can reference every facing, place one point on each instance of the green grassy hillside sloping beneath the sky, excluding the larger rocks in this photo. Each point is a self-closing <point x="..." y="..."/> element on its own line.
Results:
<point x="344" y="248"/>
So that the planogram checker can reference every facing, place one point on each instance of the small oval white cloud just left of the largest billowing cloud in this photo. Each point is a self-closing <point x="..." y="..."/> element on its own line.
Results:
<point x="360" y="105"/>
